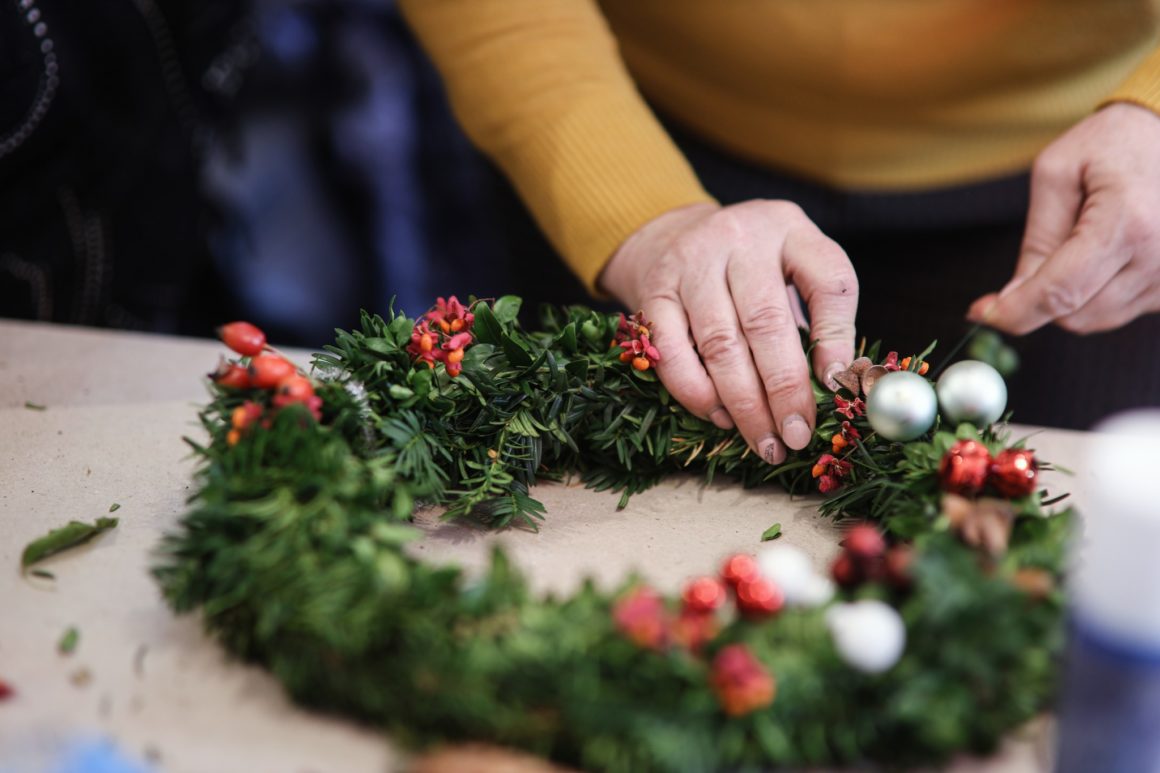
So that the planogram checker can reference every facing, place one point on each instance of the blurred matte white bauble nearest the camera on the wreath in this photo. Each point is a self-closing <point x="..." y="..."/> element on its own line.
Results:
<point x="869" y="634"/>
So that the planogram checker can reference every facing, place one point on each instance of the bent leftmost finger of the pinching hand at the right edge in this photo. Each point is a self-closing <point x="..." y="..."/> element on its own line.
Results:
<point x="1057" y="196"/>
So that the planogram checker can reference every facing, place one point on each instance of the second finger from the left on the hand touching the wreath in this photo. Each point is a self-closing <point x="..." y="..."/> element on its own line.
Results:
<point x="730" y="365"/>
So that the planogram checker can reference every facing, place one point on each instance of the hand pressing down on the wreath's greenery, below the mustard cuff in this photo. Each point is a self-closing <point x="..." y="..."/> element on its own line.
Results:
<point x="722" y="274"/>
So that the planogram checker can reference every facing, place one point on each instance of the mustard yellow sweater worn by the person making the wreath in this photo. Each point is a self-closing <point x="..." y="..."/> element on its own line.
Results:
<point x="864" y="95"/>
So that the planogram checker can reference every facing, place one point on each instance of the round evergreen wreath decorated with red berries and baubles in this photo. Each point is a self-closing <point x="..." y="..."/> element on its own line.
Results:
<point x="938" y="628"/>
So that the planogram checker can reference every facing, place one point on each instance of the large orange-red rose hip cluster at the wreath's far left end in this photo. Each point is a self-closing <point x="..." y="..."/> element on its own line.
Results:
<point x="266" y="371"/>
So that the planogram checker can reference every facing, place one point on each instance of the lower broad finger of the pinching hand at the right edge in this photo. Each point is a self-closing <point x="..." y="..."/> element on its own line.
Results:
<point x="1065" y="283"/>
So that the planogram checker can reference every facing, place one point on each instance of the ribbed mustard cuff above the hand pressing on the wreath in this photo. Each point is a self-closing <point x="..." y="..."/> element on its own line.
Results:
<point x="594" y="175"/>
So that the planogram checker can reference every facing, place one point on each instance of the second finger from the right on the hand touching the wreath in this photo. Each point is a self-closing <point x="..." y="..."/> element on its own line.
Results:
<point x="772" y="336"/>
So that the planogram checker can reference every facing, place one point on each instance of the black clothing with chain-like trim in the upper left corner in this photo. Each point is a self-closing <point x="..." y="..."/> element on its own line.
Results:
<point x="104" y="111"/>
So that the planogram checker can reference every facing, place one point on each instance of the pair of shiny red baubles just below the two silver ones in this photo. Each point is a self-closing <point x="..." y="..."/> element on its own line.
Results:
<point x="968" y="468"/>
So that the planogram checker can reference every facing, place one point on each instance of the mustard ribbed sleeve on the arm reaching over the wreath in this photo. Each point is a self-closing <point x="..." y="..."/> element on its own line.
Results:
<point x="540" y="86"/>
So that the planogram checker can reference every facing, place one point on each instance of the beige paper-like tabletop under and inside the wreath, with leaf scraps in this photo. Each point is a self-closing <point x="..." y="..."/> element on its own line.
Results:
<point x="117" y="407"/>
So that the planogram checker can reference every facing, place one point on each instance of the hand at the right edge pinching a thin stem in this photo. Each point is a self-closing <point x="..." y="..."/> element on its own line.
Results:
<point x="1091" y="254"/>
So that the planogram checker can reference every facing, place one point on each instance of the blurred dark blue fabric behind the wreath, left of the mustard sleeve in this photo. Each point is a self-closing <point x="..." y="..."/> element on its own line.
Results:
<point x="346" y="180"/>
